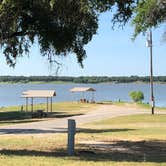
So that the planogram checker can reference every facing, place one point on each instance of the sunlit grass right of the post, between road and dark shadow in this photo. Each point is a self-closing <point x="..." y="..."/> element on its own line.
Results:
<point x="133" y="127"/>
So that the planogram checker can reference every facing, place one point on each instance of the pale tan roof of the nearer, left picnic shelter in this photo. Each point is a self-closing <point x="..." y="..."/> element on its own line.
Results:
<point x="39" y="93"/>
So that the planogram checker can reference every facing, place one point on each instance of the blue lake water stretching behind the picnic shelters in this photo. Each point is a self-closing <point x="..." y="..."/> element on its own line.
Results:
<point x="10" y="94"/>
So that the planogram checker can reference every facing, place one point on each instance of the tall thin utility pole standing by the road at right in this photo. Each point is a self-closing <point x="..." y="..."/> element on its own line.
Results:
<point x="151" y="74"/>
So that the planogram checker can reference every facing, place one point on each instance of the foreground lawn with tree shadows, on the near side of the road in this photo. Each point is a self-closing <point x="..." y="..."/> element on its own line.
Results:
<point x="124" y="141"/>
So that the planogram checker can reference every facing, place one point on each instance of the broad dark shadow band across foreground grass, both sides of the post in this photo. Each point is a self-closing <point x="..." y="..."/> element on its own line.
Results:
<point x="120" y="151"/>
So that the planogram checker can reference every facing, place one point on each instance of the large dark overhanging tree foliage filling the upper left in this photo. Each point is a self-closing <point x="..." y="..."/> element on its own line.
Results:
<point x="59" y="26"/>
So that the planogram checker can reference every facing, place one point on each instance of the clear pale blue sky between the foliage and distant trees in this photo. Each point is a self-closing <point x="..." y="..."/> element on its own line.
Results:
<point x="110" y="53"/>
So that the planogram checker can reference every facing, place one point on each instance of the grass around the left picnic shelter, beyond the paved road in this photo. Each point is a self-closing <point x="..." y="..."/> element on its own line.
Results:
<point x="13" y="115"/>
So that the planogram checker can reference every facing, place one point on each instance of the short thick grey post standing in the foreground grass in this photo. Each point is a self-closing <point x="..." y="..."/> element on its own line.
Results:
<point x="71" y="134"/>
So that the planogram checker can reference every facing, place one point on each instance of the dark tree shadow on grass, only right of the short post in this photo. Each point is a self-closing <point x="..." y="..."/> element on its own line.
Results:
<point x="140" y="151"/>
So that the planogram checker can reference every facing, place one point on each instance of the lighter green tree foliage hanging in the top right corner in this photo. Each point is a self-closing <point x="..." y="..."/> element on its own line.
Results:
<point x="148" y="14"/>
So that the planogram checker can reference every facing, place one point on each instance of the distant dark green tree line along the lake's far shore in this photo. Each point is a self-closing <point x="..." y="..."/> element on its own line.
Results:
<point x="82" y="79"/>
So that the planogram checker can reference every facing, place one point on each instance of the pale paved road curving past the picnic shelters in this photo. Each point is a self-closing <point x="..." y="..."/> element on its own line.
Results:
<point x="60" y="125"/>
